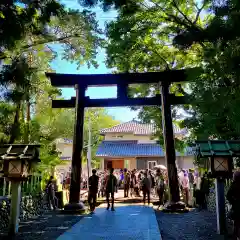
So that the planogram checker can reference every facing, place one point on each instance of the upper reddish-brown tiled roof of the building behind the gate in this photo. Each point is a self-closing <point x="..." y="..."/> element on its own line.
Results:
<point x="138" y="128"/>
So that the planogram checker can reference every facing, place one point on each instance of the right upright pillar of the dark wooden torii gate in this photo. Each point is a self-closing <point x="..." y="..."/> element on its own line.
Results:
<point x="168" y="135"/>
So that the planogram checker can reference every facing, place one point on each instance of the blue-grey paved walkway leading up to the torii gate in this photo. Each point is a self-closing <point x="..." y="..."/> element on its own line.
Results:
<point x="126" y="223"/>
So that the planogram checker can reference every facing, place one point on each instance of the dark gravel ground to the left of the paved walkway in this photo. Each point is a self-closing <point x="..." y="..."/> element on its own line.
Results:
<point x="47" y="227"/>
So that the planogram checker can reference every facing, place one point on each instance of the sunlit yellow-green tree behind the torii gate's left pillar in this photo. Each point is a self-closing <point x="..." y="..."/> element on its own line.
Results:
<point x="49" y="124"/>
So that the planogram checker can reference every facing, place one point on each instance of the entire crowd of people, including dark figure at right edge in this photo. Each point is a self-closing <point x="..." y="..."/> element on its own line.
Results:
<point x="194" y="187"/>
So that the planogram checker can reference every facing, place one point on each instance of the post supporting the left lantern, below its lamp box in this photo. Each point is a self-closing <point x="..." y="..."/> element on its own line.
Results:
<point x="15" y="207"/>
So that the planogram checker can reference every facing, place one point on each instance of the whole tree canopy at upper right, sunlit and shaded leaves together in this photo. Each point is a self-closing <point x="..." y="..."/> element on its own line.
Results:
<point x="157" y="35"/>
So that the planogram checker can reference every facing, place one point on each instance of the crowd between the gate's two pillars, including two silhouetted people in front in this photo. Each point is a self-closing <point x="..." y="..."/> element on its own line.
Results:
<point x="133" y="182"/>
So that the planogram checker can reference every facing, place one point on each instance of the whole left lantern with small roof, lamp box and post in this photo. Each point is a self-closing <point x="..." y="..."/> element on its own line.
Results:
<point x="17" y="162"/>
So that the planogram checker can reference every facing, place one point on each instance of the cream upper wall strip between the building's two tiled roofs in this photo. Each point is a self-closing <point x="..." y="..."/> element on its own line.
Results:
<point x="128" y="137"/>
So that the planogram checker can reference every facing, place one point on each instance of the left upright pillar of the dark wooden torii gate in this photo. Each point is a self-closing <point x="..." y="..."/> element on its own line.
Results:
<point x="77" y="147"/>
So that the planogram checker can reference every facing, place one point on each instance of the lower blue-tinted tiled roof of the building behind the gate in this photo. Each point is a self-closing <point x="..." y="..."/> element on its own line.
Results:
<point x="133" y="149"/>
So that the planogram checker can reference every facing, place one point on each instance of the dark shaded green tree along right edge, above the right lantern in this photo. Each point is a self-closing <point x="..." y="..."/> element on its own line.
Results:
<point x="214" y="112"/>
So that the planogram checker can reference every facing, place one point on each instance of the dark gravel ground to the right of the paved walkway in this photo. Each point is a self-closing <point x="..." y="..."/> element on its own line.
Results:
<point x="193" y="225"/>
